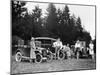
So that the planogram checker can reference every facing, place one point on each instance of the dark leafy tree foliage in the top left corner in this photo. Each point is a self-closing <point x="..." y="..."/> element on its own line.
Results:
<point x="17" y="9"/>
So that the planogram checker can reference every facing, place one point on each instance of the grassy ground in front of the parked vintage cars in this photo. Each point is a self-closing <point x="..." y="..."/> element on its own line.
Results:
<point x="55" y="65"/>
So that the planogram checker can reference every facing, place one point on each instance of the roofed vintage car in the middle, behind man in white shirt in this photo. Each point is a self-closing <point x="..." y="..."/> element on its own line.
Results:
<point x="48" y="44"/>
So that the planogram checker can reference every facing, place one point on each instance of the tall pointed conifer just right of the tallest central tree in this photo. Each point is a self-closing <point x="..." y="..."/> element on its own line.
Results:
<point x="65" y="27"/>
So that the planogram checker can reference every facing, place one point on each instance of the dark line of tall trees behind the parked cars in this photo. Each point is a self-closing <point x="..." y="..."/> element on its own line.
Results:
<point x="57" y="23"/>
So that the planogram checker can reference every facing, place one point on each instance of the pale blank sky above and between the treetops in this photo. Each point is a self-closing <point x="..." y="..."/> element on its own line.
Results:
<point x="86" y="13"/>
